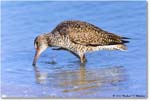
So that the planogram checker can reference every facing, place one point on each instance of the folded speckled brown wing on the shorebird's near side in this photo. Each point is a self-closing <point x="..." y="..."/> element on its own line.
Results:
<point x="90" y="35"/>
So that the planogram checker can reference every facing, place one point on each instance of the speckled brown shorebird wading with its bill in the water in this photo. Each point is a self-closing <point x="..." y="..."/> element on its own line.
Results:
<point x="78" y="37"/>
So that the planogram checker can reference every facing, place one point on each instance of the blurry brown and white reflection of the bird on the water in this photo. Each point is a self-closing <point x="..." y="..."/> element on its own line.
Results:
<point x="83" y="78"/>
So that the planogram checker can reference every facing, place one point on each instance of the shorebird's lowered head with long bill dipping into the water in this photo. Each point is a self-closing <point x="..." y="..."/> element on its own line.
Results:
<point x="40" y="44"/>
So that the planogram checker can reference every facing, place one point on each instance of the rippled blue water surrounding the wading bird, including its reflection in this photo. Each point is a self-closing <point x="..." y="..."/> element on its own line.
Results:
<point x="107" y="74"/>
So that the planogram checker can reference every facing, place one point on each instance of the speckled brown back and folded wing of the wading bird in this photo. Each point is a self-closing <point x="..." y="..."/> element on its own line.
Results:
<point x="87" y="34"/>
